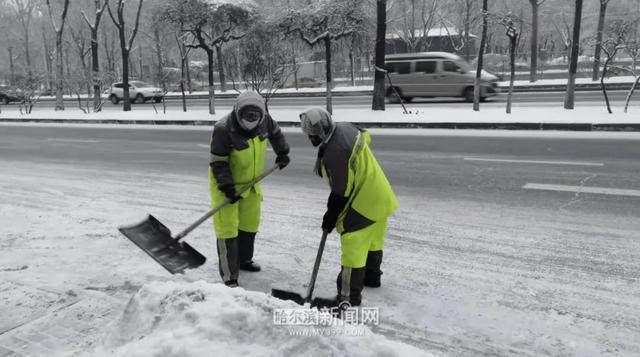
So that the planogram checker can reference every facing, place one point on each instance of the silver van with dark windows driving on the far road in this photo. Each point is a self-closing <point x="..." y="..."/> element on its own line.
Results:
<point x="434" y="74"/>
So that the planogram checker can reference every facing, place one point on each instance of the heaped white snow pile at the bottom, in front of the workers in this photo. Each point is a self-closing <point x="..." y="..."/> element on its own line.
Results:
<point x="203" y="319"/>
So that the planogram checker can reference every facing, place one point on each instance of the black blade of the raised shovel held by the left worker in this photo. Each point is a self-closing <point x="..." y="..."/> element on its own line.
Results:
<point x="154" y="238"/>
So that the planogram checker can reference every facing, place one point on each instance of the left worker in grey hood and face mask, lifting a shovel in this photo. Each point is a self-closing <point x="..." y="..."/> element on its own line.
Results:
<point x="238" y="147"/>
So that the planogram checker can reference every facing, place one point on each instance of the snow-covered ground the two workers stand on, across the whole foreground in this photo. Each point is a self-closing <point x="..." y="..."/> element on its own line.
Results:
<point x="461" y="277"/>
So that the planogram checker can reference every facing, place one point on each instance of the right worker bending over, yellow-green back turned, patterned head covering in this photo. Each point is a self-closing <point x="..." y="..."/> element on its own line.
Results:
<point x="360" y="202"/>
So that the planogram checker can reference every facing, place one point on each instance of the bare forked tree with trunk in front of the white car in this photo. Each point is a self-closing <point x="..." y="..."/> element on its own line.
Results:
<point x="125" y="45"/>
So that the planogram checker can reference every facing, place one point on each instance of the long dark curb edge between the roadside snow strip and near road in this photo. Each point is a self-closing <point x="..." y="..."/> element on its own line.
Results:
<point x="627" y="127"/>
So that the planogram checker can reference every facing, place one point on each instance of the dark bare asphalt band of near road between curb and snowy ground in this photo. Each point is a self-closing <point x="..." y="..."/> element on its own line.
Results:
<point x="479" y="168"/>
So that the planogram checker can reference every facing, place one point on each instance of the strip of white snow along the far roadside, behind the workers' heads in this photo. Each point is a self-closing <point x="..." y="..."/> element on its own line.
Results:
<point x="595" y="114"/>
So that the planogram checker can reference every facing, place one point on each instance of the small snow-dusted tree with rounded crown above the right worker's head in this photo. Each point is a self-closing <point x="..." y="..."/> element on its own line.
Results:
<point x="325" y="23"/>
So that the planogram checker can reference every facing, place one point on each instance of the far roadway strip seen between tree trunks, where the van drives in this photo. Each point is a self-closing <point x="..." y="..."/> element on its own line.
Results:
<point x="519" y="99"/>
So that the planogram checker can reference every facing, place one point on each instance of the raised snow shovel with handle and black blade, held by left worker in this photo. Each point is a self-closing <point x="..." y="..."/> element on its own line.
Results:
<point x="155" y="239"/>
